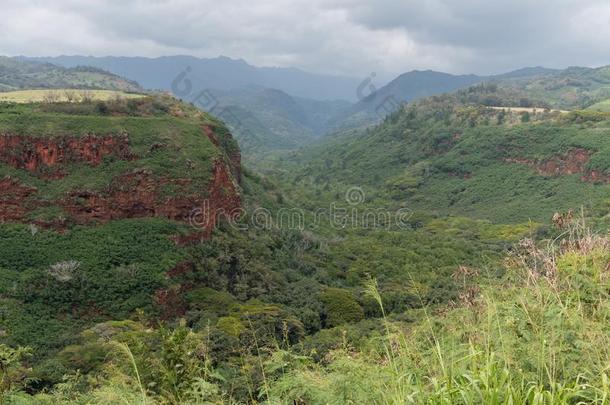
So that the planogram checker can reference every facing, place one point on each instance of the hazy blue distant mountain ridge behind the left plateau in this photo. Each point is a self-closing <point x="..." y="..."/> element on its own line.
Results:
<point x="216" y="73"/>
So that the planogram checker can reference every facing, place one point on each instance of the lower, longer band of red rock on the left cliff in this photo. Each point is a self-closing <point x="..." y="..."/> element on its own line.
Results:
<point x="134" y="195"/>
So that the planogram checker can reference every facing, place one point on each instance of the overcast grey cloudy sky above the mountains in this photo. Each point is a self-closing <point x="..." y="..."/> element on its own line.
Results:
<point x="350" y="37"/>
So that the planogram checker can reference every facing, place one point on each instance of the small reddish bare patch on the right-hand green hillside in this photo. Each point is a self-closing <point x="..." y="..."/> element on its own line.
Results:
<point x="573" y="162"/>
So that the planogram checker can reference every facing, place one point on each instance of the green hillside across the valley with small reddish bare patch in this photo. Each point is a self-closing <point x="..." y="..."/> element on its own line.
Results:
<point x="452" y="155"/>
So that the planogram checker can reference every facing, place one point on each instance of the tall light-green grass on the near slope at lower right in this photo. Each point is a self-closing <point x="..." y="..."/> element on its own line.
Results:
<point x="540" y="336"/>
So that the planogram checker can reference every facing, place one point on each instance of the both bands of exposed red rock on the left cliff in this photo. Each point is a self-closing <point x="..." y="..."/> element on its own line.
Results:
<point x="135" y="194"/>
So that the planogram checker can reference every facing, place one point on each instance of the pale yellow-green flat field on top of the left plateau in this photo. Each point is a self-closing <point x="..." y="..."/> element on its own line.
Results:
<point x="63" y="95"/>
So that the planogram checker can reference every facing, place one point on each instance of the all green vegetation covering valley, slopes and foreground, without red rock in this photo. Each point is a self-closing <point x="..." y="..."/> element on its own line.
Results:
<point x="460" y="290"/>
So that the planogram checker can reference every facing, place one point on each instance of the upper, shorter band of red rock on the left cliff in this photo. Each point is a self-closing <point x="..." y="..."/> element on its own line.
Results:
<point x="44" y="156"/>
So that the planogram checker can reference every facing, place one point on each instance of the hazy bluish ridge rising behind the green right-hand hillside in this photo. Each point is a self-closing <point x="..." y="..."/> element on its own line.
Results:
<point x="572" y="88"/>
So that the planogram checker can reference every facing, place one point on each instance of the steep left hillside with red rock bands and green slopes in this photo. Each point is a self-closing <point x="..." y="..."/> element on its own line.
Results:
<point x="95" y="206"/>
